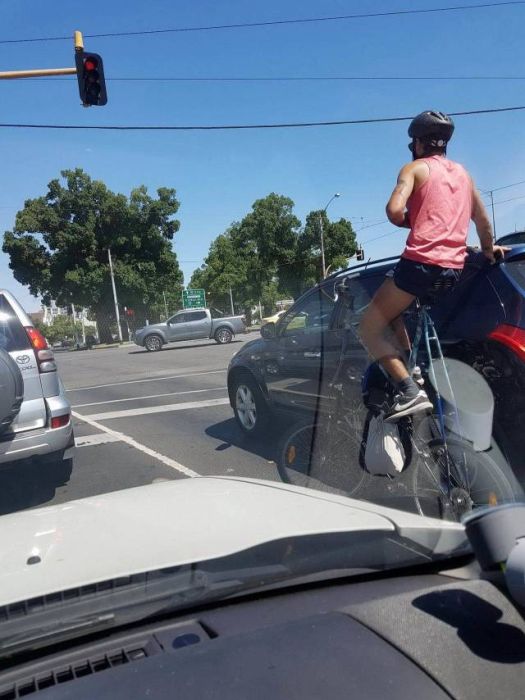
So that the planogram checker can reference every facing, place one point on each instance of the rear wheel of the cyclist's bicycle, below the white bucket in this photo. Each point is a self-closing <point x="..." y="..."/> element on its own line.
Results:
<point x="450" y="478"/>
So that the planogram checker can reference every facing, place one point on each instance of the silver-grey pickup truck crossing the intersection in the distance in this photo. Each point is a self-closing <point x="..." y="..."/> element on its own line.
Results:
<point x="194" y="324"/>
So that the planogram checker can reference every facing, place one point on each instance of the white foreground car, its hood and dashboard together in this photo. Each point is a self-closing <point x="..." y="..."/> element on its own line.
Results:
<point x="224" y="588"/>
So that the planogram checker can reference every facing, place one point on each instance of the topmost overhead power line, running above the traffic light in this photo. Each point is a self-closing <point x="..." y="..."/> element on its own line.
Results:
<point x="272" y="23"/>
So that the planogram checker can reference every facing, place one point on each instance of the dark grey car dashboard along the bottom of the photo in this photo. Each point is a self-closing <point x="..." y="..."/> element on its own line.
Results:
<point x="424" y="636"/>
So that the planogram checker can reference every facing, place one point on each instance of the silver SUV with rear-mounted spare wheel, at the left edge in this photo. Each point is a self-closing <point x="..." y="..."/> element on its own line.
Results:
<point x="35" y="415"/>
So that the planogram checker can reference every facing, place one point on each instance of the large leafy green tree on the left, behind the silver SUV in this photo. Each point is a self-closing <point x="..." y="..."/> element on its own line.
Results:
<point x="58" y="246"/>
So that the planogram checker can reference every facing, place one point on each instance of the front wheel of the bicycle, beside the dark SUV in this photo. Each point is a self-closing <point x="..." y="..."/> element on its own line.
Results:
<point x="315" y="457"/>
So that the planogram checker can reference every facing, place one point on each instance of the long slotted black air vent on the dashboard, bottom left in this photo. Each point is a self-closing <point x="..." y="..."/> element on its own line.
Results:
<point x="64" y="674"/>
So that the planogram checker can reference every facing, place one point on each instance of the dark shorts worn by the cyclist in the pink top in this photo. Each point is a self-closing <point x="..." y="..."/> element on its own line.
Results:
<point x="423" y="280"/>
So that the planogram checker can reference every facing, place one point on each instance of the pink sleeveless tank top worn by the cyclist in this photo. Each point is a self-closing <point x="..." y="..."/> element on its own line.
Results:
<point x="439" y="213"/>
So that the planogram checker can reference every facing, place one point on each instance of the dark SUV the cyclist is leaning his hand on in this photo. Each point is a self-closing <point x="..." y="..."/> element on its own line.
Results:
<point x="482" y="322"/>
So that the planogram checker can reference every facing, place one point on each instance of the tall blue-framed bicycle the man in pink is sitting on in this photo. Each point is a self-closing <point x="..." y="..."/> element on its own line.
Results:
<point x="448" y="476"/>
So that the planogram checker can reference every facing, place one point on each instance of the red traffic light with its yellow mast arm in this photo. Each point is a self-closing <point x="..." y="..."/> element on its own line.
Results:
<point x="89" y="71"/>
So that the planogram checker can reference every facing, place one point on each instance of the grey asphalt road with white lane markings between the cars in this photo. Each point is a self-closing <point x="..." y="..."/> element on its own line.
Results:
<point x="141" y="417"/>
